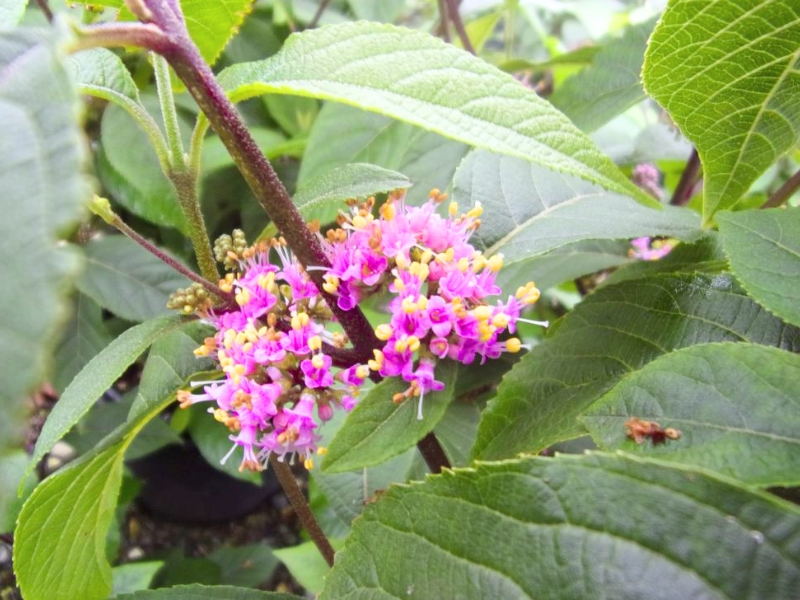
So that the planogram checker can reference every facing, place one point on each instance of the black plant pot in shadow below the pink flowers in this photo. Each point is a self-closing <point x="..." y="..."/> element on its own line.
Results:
<point x="180" y="485"/>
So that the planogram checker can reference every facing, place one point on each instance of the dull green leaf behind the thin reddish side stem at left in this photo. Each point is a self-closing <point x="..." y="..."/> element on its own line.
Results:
<point x="126" y="279"/>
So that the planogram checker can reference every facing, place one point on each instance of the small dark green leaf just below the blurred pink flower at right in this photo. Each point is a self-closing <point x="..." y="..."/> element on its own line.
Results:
<point x="703" y="256"/>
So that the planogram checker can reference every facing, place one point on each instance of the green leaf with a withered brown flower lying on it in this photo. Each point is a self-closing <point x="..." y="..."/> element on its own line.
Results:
<point x="736" y="407"/>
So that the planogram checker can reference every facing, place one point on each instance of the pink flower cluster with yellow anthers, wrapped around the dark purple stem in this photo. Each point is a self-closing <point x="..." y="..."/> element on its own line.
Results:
<point x="278" y="357"/>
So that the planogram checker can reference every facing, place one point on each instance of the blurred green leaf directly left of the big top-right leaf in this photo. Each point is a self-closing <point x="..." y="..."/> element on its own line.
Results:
<point x="610" y="85"/>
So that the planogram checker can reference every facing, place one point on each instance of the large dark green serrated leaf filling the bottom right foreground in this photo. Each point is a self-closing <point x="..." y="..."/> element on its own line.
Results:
<point x="593" y="526"/>
